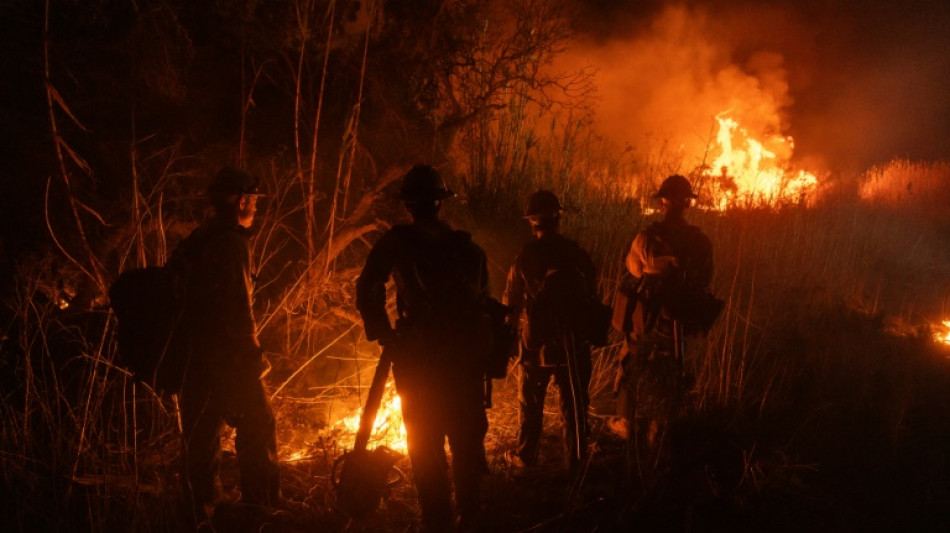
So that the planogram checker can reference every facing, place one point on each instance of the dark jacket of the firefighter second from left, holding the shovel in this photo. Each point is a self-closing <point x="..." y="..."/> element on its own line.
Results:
<point x="441" y="280"/>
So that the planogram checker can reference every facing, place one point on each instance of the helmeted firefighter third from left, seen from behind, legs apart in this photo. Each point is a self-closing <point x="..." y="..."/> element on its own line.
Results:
<point x="551" y="281"/>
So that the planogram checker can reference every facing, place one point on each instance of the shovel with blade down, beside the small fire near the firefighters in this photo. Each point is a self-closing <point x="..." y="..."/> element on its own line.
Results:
<point x="361" y="477"/>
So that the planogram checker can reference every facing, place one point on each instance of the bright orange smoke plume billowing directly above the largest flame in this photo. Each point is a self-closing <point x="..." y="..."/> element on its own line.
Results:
<point x="663" y="88"/>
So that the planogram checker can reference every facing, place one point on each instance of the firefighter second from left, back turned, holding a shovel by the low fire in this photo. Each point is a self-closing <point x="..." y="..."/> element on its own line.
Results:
<point x="437" y="346"/>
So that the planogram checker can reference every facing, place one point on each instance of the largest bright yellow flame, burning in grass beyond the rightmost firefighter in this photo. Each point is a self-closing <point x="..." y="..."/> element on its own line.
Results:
<point x="753" y="173"/>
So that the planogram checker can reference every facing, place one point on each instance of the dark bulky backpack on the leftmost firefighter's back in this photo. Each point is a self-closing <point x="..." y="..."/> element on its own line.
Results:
<point x="148" y="304"/>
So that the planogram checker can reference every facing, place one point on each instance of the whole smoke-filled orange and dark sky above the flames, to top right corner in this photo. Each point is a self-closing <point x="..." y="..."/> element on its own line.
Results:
<point x="855" y="83"/>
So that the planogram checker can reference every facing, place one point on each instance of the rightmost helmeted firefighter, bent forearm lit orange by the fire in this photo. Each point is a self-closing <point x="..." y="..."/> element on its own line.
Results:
<point x="669" y="254"/>
